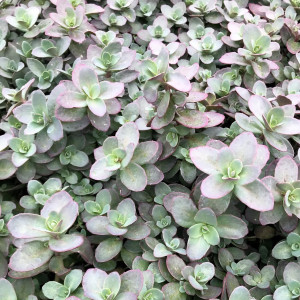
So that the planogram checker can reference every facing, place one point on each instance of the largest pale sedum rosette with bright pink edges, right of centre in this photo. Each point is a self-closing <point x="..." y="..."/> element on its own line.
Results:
<point x="231" y="170"/>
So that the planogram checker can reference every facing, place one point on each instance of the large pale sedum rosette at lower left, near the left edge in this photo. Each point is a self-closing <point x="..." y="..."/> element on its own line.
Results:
<point x="44" y="234"/>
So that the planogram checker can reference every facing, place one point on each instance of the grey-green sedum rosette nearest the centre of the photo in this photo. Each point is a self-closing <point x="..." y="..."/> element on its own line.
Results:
<point x="134" y="163"/>
